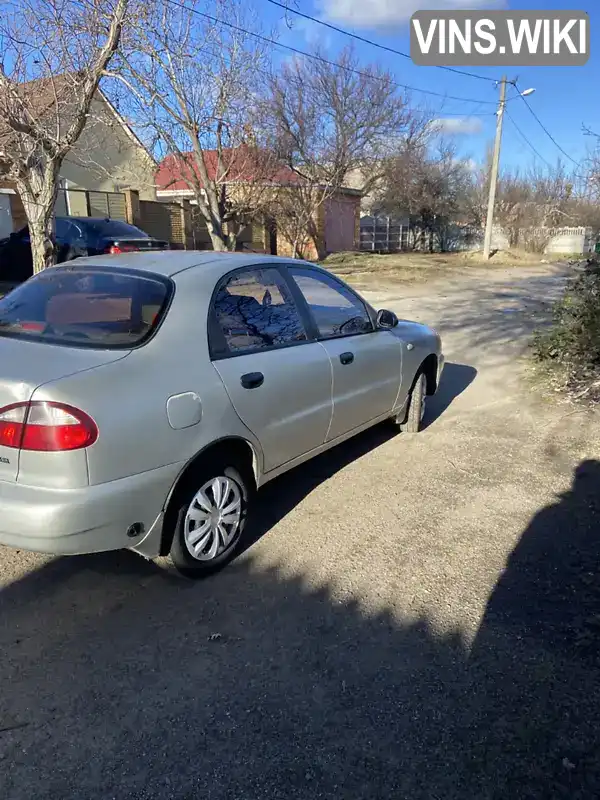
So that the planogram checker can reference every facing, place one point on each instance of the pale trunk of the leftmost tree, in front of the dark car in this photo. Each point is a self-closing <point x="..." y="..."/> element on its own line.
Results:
<point x="38" y="195"/>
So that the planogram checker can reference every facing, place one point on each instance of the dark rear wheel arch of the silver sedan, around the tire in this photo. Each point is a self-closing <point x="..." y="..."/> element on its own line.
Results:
<point x="244" y="457"/>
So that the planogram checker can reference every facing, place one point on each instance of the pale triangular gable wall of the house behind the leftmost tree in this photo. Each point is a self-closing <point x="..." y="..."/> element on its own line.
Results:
<point x="107" y="158"/>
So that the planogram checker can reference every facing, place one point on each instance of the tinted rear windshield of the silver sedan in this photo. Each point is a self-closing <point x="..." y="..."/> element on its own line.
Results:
<point x="82" y="307"/>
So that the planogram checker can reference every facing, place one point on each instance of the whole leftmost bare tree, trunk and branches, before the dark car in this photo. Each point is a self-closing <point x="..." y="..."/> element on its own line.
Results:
<point x="54" y="54"/>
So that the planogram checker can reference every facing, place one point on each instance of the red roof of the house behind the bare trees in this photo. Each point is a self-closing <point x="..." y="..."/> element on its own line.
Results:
<point x="242" y="164"/>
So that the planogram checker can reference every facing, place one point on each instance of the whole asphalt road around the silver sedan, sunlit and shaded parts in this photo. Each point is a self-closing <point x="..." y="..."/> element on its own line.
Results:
<point x="417" y="617"/>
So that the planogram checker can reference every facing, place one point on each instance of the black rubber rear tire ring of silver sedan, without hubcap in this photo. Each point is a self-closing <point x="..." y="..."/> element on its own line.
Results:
<point x="180" y="554"/>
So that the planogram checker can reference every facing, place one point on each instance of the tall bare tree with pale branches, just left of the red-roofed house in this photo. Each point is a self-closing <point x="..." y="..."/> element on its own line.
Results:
<point x="193" y="76"/>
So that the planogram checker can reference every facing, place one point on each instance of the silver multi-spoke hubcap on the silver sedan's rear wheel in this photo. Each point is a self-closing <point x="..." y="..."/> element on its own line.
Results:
<point x="213" y="518"/>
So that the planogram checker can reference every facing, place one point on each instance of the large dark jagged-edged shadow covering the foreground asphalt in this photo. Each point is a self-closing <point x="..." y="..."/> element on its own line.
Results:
<point x="120" y="680"/>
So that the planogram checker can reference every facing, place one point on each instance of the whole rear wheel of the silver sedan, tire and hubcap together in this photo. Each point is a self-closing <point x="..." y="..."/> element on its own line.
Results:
<point x="210" y="520"/>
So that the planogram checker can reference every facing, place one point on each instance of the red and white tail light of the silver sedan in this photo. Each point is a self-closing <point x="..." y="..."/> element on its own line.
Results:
<point x="46" y="426"/>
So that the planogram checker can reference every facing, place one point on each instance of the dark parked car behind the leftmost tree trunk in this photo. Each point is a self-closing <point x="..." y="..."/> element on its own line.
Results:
<point x="75" y="236"/>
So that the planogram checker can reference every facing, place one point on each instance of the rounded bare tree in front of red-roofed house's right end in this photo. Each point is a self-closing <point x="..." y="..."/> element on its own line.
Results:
<point x="326" y="120"/>
